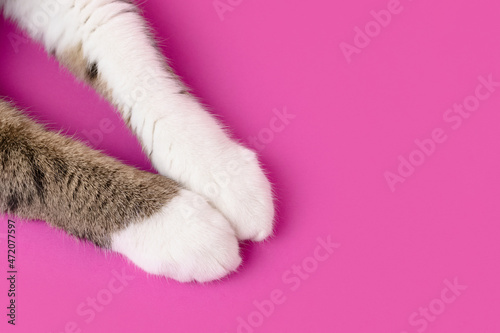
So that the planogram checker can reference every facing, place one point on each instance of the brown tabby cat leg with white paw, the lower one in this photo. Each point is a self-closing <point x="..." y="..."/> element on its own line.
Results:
<point x="161" y="227"/>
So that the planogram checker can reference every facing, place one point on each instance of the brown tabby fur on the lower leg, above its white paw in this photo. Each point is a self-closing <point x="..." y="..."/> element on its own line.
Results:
<point x="48" y="176"/>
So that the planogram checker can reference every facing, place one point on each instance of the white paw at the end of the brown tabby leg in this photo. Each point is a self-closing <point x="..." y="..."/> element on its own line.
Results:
<point x="188" y="240"/>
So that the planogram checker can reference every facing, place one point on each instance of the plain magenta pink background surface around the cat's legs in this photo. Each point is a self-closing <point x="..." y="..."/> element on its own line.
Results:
<point x="352" y="122"/>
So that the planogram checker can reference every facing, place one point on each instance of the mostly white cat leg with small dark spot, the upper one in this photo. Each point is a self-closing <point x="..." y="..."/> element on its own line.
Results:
<point x="107" y="44"/>
